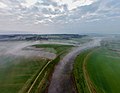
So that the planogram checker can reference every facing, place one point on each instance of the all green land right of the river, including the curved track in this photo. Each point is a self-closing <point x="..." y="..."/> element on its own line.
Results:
<point x="98" y="70"/>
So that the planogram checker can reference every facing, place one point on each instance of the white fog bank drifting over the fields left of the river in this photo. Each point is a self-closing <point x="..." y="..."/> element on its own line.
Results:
<point x="20" y="48"/>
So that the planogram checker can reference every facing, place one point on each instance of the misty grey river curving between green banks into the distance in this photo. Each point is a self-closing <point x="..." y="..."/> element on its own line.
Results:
<point x="61" y="79"/>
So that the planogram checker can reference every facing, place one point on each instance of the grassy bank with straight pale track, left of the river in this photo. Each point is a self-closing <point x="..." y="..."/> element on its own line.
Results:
<point x="40" y="81"/>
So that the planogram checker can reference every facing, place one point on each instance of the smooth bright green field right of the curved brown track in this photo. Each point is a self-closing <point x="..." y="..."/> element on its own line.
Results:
<point x="103" y="67"/>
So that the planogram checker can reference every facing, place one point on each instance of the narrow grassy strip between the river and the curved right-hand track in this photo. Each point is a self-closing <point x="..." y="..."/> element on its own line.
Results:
<point x="79" y="74"/>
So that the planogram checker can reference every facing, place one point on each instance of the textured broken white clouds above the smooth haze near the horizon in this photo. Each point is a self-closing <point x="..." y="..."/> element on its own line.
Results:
<point x="49" y="12"/>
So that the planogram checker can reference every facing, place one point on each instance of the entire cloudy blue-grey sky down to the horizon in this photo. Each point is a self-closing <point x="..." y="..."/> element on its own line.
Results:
<point x="59" y="16"/>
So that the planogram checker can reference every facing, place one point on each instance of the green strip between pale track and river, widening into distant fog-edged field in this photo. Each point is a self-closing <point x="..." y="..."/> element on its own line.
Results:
<point x="43" y="79"/>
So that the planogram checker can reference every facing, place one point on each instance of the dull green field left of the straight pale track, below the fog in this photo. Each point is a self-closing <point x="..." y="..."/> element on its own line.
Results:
<point x="14" y="72"/>
